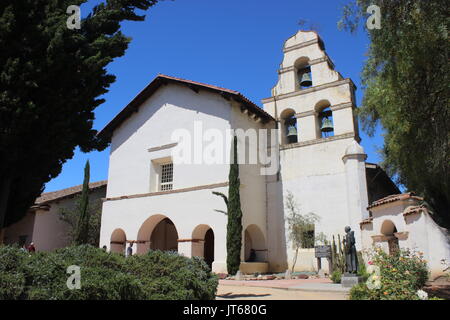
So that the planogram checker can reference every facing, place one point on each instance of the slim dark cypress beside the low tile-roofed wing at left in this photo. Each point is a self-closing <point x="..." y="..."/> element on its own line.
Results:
<point x="82" y="232"/>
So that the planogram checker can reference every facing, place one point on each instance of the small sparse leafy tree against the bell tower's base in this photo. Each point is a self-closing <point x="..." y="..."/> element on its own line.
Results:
<point x="301" y="228"/>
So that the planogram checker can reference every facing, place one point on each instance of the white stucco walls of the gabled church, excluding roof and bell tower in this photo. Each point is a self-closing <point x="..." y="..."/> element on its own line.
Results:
<point x="175" y="107"/>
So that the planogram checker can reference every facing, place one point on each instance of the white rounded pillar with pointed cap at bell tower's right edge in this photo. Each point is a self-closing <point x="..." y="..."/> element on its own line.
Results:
<point x="356" y="185"/>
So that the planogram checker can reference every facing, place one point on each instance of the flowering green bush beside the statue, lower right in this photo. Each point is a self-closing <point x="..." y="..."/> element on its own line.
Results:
<point x="401" y="276"/>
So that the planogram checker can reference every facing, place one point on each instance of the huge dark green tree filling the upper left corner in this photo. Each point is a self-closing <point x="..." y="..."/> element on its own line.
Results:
<point x="51" y="79"/>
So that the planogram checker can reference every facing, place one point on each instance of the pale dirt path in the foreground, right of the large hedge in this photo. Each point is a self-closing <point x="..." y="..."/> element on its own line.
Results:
<point x="226" y="292"/>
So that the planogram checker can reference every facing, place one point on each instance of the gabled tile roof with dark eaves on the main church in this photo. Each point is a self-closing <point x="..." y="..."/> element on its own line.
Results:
<point x="161" y="79"/>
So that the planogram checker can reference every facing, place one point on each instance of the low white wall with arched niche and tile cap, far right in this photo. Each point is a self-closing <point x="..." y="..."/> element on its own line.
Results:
<point x="402" y="222"/>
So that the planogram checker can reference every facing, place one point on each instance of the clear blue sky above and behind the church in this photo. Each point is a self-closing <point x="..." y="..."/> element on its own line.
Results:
<point x="236" y="44"/>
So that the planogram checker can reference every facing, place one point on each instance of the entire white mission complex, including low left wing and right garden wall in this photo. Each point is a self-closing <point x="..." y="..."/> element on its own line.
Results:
<point x="171" y="149"/>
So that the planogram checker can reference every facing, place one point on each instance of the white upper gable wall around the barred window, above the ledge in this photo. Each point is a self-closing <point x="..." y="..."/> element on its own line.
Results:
<point x="171" y="107"/>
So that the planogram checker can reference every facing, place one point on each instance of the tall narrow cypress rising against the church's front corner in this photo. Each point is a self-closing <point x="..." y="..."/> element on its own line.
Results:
<point x="234" y="225"/>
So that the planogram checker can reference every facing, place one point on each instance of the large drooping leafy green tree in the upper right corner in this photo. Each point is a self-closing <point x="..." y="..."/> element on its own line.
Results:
<point x="406" y="79"/>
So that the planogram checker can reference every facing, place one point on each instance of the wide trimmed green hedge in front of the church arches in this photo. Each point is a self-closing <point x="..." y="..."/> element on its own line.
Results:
<point x="104" y="276"/>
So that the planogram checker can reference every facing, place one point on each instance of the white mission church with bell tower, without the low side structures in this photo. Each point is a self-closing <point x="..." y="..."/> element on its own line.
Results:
<point x="157" y="203"/>
